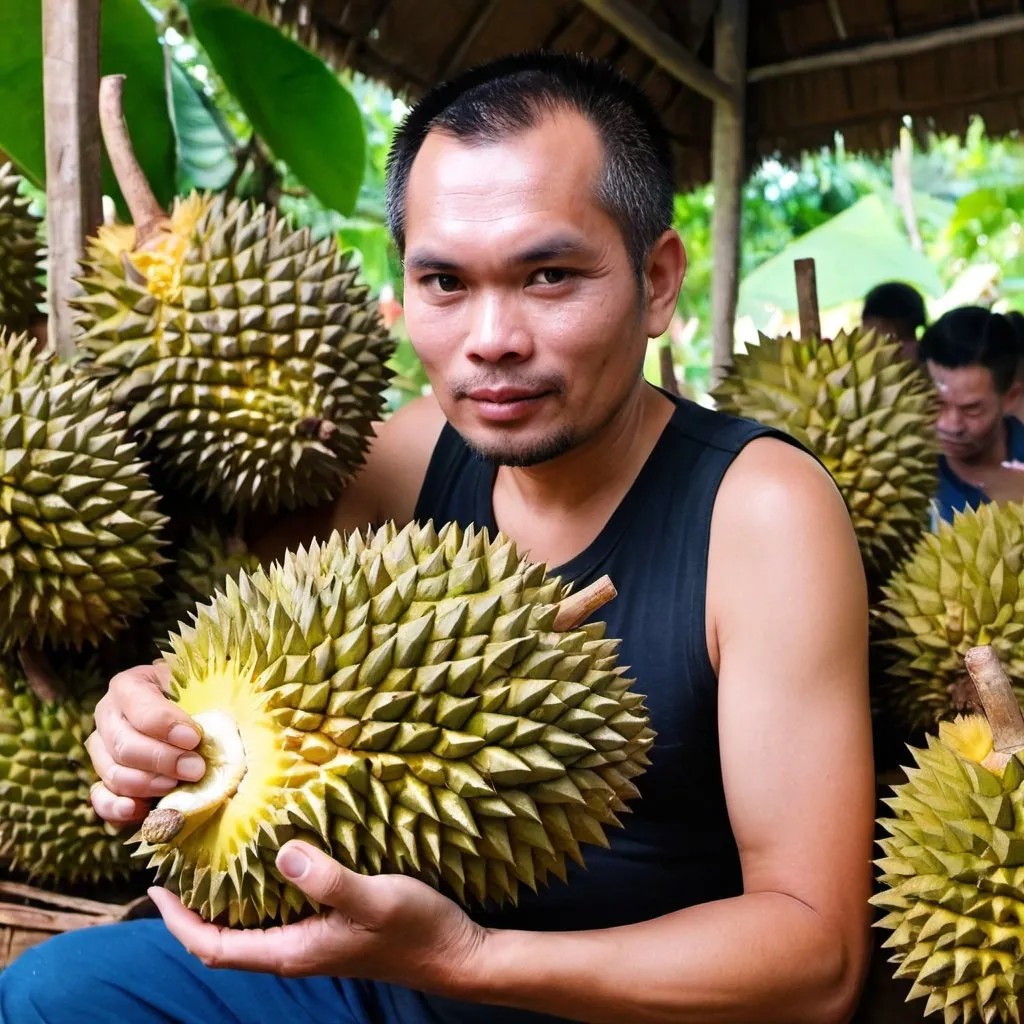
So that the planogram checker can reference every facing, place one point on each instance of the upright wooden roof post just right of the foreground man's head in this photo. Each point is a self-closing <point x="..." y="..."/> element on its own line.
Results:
<point x="729" y="165"/>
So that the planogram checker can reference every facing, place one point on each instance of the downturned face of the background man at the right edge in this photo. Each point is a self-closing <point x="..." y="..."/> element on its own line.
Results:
<point x="971" y="411"/>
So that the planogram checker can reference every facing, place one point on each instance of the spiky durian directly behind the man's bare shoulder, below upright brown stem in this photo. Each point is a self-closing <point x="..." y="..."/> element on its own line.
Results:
<point x="865" y="412"/>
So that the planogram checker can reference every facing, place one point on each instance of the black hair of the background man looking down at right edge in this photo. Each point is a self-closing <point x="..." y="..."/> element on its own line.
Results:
<point x="975" y="336"/>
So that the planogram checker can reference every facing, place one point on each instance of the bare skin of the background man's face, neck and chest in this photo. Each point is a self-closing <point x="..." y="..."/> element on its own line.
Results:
<point x="972" y="431"/>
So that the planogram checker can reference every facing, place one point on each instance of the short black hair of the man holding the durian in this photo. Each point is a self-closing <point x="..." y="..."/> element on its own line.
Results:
<point x="513" y="95"/>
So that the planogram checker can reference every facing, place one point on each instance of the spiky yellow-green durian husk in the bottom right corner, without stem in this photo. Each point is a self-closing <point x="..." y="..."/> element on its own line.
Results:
<point x="953" y="877"/>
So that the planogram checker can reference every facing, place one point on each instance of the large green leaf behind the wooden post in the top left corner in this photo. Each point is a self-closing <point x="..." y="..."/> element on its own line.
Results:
<point x="129" y="47"/>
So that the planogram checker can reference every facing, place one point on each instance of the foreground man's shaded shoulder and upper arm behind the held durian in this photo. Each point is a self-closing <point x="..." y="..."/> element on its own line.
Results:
<point x="387" y="487"/>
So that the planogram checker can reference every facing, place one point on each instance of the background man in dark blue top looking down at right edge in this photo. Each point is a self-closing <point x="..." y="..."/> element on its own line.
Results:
<point x="973" y="357"/>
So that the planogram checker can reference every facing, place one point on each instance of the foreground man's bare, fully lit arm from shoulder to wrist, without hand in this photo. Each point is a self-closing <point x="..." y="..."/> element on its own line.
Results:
<point x="788" y="620"/>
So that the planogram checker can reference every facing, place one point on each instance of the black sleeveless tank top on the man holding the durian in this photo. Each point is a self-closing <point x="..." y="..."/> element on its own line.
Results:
<point x="677" y="847"/>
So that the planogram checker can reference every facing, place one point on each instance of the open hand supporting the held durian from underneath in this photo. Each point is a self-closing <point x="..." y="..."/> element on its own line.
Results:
<point x="389" y="927"/>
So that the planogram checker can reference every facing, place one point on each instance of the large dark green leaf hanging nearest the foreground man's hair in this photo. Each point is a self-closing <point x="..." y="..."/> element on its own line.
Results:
<point x="294" y="102"/>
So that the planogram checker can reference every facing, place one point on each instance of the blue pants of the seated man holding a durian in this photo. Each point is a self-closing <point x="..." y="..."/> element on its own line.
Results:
<point x="138" y="973"/>
